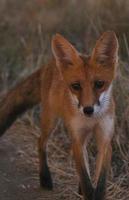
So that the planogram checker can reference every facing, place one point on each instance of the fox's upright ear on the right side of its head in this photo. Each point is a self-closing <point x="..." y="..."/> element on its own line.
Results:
<point x="105" y="52"/>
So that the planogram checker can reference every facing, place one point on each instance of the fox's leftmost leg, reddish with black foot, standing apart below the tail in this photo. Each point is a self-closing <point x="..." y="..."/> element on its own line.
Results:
<point x="47" y="125"/>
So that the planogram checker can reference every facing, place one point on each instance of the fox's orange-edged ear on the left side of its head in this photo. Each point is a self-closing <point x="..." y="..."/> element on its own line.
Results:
<point x="63" y="51"/>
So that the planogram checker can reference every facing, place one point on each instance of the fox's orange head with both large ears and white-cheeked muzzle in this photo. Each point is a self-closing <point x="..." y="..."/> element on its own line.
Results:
<point x="89" y="79"/>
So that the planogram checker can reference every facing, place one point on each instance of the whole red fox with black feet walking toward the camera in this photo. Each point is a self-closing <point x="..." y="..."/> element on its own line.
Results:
<point x="78" y="89"/>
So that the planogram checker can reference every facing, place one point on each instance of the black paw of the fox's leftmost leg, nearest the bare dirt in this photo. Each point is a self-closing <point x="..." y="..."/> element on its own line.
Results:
<point x="46" y="179"/>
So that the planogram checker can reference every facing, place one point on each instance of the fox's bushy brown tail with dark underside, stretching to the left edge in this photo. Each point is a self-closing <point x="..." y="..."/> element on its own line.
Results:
<point x="19" y="99"/>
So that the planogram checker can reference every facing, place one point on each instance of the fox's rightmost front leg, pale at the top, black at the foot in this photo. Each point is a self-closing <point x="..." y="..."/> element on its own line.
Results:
<point x="104" y="132"/>
